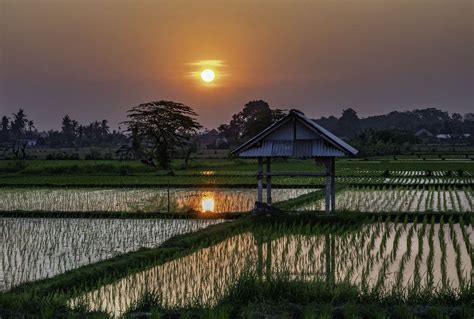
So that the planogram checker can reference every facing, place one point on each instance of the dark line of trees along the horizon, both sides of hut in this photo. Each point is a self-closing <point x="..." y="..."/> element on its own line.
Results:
<point x="158" y="131"/>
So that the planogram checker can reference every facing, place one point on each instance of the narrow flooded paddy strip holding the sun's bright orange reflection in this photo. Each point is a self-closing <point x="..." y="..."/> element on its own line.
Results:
<point x="137" y="200"/>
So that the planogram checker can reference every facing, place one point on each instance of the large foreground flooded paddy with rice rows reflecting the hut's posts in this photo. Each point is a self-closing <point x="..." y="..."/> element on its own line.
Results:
<point x="383" y="256"/>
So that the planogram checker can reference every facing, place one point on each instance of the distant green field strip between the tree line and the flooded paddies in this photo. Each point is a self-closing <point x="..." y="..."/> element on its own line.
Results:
<point x="203" y="173"/>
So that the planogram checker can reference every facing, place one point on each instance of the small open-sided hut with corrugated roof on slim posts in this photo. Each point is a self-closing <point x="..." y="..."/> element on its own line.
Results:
<point x="295" y="135"/>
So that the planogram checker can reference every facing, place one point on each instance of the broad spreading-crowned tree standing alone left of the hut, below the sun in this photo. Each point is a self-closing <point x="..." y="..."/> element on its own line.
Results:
<point x="161" y="128"/>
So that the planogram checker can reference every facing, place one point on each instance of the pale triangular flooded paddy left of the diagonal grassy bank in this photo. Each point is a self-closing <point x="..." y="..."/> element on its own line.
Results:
<point x="35" y="248"/>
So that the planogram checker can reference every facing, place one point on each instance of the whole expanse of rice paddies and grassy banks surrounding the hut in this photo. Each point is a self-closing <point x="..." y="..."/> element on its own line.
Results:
<point x="422" y="249"/>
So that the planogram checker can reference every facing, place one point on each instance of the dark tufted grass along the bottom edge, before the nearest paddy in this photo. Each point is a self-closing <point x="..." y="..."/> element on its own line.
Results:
<point x="282" y="297"/>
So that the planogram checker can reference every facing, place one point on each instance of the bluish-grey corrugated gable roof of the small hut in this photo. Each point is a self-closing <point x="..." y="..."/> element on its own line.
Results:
<point x="295" y="135"/>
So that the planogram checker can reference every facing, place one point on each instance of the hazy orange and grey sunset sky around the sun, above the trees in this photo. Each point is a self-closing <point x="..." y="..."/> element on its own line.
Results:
<point x="95" y="59"/>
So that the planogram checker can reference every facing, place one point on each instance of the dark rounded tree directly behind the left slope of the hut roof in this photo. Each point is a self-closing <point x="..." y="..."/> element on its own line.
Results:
<point x="254" y="118"/>
